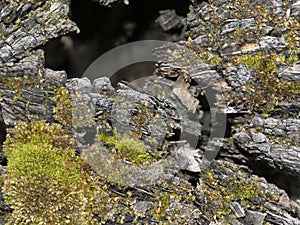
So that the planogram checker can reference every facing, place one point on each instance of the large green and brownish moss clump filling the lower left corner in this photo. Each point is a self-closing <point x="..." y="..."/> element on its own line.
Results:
<point x="45" y="182"/>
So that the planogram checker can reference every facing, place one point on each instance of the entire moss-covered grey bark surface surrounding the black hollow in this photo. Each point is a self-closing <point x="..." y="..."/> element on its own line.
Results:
<point x="252" y="49"/>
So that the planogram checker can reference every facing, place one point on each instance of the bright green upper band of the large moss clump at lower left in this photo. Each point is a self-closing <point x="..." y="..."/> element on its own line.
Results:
<point x="36" y="158"/>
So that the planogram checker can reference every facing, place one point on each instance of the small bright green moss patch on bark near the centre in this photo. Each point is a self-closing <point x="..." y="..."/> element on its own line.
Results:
<point x="127" y="148"/>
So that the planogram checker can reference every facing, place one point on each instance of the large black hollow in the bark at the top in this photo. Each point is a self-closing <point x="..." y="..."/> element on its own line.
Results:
<point x="103" y="28"/>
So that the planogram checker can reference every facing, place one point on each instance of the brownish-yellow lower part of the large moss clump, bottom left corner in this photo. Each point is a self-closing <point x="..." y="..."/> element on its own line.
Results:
<point x="42" y="200"/>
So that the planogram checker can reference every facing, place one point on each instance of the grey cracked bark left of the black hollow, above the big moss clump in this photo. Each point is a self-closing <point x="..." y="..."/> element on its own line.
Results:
<point x="27" y="88"/>
